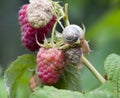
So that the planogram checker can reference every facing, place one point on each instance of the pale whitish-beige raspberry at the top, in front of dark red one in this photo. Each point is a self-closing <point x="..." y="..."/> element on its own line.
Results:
<point x="39" y="12"/>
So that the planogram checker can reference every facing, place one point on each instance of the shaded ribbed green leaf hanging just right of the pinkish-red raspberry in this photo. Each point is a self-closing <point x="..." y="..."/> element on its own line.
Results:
<point x="70" y="79"/>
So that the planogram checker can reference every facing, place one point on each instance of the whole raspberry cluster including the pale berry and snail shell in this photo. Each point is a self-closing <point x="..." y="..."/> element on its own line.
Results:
<point x="36" y="20"/>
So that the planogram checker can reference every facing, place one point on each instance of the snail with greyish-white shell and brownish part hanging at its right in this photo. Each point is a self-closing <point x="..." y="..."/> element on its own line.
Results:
<point x="73" y="33"/>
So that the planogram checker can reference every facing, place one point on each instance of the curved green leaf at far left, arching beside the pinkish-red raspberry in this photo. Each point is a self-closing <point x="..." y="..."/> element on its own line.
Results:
<point x="15" y="72"/>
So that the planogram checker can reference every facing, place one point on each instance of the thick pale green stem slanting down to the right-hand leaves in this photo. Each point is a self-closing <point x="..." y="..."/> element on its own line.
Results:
<point x="93" y="70"/>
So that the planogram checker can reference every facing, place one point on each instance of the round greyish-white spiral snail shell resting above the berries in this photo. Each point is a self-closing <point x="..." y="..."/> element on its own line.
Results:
<point x="72" y="33"/>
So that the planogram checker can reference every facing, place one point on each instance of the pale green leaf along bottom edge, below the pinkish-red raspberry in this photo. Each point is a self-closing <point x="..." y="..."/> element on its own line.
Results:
<point x="51" y="92"/>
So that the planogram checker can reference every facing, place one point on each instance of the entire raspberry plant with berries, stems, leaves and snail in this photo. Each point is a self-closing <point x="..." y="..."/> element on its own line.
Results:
<point x="54" y="70"/>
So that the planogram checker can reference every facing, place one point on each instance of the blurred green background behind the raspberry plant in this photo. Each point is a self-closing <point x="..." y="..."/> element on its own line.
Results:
<point x="100" y="17"/>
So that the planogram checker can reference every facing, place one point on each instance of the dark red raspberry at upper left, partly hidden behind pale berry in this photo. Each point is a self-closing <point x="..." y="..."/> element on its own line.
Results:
<point x="28" y="32"/>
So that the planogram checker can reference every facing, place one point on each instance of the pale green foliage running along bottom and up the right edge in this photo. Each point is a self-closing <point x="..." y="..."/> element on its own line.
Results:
<point x="110" y="89"/>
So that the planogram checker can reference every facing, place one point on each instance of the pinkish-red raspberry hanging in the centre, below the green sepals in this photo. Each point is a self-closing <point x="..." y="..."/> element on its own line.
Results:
<point x="50" y="65"/>
